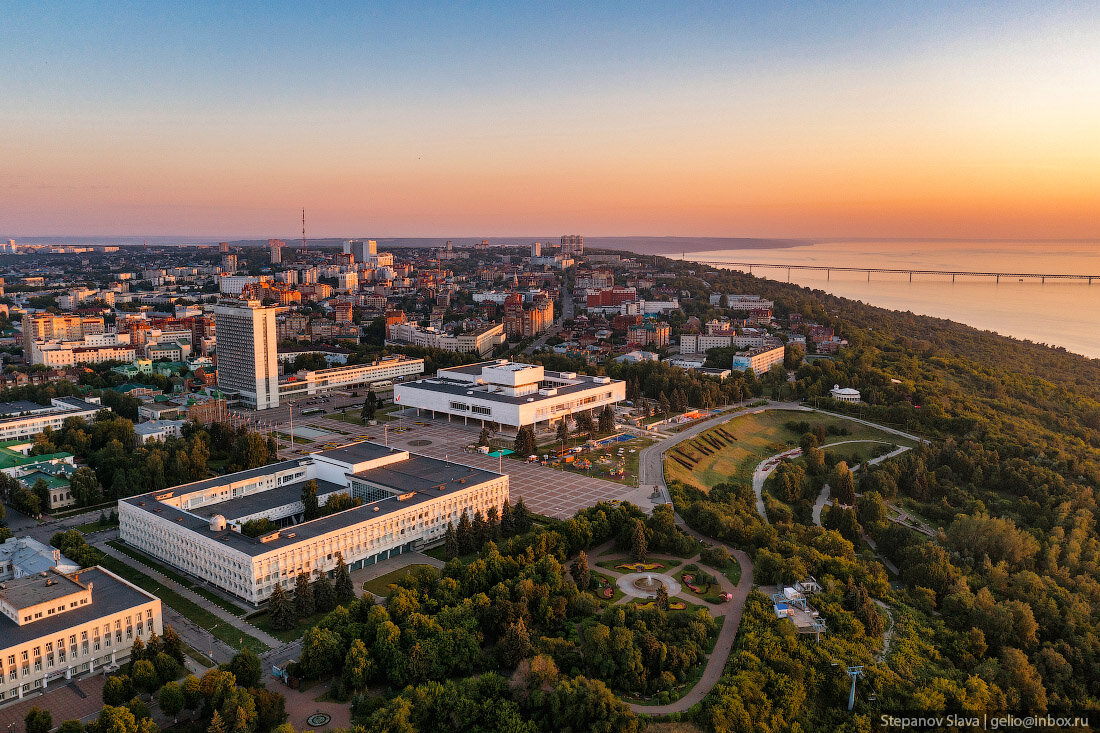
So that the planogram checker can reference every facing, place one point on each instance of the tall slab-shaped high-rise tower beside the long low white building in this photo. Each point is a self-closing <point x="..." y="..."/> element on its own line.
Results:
<point x="247" y="352"/>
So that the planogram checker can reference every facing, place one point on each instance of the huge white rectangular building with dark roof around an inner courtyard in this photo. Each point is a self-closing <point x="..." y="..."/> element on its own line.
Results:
<point x="409" y="501"/>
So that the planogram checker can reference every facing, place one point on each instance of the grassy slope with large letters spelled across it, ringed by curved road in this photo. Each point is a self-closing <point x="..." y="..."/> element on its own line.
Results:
<point x="756" y="437"/>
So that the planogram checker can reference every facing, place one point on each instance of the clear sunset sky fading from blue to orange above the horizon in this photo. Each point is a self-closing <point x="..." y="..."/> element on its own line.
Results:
<point x="789" y="121"/>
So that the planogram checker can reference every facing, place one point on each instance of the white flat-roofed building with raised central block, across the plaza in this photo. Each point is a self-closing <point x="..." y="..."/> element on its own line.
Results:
<point x="509" y="393"/>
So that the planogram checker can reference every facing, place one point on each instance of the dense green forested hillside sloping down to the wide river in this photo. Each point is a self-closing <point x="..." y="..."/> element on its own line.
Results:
<point x="1000" y="608"/>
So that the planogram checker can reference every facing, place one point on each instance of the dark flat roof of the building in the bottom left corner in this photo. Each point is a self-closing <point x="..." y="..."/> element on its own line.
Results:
<point x="109" y="595"/>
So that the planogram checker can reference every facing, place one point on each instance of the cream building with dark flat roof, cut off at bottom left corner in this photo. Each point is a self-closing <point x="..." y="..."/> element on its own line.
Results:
<point x="56" y="627"/>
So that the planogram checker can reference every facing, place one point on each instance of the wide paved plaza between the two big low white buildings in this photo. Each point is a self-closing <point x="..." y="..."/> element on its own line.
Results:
<point x="545" y="490"/>
